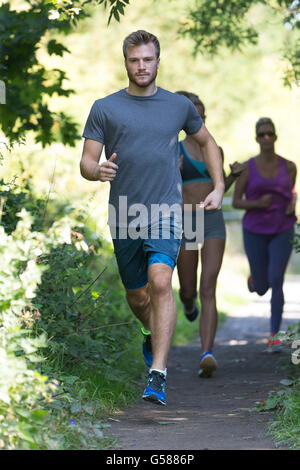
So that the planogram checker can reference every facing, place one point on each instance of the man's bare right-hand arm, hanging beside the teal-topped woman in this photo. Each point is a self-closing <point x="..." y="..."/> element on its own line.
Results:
<point x="213" y="160"/>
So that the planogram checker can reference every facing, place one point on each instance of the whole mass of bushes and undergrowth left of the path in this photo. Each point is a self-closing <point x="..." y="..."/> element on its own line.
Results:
<point x="63" y="340"/>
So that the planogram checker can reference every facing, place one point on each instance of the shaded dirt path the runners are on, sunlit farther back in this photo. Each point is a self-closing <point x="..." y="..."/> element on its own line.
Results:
<point x="215" y="413"/>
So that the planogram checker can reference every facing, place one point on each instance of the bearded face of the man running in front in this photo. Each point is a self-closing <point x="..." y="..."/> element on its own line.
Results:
<point x="141" y="64"/>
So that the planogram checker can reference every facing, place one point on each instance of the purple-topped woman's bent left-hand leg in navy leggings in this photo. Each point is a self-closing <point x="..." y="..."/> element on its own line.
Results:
<point x="256" y="248"/>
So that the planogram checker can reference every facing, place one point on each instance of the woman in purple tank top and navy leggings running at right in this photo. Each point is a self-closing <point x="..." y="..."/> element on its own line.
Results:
<point x="268" y="223"/>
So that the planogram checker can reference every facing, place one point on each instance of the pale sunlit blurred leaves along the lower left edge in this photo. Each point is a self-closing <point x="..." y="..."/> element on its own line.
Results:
<point x="21" y="387"/>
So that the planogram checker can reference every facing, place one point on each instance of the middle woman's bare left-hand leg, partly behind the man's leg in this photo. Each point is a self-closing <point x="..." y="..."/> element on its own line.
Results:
<point x="187" y="264"/>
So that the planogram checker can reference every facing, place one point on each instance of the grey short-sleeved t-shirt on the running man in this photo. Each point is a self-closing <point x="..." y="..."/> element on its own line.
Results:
<point x="143" y="131"/>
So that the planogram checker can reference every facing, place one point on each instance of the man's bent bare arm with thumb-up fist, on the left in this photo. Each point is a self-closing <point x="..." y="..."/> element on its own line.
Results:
<point x="89" y="164"/>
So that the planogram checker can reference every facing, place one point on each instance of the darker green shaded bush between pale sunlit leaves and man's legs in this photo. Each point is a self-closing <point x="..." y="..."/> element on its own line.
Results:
<point x="76" y="309"/>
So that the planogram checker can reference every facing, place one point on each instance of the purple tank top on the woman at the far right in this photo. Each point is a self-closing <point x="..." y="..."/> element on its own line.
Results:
<point x="272" y="219"/>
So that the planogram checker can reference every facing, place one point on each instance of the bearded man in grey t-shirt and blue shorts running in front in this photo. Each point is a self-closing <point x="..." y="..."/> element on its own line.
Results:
<point x="139" y="128"/>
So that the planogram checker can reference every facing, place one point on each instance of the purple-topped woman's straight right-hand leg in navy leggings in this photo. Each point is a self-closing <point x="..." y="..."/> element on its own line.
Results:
<point x="280" y="249"/>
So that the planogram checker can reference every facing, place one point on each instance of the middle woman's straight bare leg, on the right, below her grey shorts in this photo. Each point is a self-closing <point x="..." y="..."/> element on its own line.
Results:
<point x="211" y="261"/>
